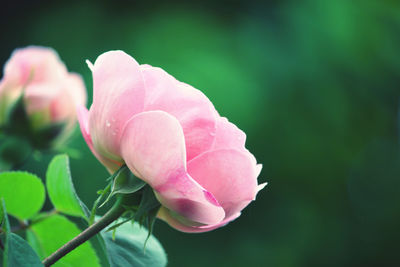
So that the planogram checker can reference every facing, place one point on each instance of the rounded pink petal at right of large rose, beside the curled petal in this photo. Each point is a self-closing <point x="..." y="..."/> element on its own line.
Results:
<point x="229" y="175"/>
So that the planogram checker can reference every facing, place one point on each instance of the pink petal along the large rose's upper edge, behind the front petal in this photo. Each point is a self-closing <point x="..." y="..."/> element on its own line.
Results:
<point x="192" y="108"/>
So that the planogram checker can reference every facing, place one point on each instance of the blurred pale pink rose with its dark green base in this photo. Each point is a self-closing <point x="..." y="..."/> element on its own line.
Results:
<point x="38" y="96"/>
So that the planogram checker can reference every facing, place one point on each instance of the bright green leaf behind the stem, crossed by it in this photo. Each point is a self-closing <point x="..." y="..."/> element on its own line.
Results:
<point x="55" y="231"/>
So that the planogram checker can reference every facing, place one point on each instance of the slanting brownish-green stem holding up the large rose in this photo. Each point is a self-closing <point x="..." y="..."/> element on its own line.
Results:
<point x="113" y="214"/>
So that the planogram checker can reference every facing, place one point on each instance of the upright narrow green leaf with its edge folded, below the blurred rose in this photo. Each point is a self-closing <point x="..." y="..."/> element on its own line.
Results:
<point x="61" y="190"/>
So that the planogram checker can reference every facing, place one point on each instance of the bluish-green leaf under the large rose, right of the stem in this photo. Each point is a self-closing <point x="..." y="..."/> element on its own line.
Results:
<point x="128" y="248"/>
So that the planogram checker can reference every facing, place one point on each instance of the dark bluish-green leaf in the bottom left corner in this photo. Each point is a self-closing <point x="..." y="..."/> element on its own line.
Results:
<point x="17" y="251"/>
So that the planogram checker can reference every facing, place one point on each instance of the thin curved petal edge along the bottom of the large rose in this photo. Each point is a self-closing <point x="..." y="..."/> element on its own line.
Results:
<point x="165" y="215"/>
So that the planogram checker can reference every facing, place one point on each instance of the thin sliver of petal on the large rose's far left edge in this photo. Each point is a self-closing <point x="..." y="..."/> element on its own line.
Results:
<point x="83" y="114"/>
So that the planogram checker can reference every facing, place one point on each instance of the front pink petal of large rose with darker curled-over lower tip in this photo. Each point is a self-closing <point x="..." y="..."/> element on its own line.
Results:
<point x="153" y="147"/>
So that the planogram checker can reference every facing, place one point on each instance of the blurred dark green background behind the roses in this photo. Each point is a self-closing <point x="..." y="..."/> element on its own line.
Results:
<point x="314" y="84"/>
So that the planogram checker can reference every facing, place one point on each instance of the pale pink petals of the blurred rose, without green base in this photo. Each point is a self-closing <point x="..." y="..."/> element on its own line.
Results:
<point x="50" y="93"/>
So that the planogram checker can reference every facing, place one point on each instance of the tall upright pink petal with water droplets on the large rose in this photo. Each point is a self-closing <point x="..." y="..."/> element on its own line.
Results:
<point x="118" y="95"/>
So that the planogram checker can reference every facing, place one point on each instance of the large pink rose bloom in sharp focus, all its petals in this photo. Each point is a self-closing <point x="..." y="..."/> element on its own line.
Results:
<point x="169" y="135"/>
